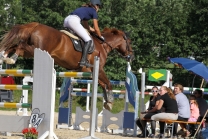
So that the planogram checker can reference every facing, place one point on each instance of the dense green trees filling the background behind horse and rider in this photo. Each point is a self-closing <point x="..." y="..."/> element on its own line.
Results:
<point x="158" y="28"/>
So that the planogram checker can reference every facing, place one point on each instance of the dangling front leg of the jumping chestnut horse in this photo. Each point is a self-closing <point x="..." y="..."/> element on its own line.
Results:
<point x="107" y="90"/>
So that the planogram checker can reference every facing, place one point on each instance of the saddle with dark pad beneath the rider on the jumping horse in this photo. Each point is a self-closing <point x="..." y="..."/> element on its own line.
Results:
<point x="78" y="43"/>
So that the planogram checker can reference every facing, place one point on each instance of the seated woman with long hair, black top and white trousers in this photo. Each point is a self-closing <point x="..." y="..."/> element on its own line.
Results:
<point x="168" y="102"/>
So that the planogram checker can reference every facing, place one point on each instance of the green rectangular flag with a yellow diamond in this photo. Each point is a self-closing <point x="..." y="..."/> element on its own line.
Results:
<point x="157" y="75"/>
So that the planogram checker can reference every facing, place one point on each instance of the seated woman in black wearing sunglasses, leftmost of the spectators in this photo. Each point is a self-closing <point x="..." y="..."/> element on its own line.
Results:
<point x="153" y="102"/>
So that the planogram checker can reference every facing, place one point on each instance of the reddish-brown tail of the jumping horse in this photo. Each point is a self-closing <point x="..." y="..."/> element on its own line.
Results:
<point x="19" y="33"/>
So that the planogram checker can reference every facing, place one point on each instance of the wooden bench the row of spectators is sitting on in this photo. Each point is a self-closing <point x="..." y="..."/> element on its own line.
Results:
<point x="170" y="124"/>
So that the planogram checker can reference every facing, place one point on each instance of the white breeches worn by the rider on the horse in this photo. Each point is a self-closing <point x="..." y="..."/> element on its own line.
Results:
<point x="73" y="22"/>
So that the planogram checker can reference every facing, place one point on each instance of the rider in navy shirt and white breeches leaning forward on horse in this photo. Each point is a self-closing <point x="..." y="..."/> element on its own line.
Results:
<point x="73" y="21"/>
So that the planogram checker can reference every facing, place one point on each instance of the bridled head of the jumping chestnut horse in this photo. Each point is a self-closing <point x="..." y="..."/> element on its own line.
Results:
<point x="118" y="40"/>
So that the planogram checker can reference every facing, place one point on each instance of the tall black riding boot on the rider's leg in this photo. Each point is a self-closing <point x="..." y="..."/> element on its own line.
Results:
<point x="83" y="61"/>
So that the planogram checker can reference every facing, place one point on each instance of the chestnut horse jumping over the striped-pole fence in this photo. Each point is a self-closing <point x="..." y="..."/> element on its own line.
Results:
<point x="22" y="39"/>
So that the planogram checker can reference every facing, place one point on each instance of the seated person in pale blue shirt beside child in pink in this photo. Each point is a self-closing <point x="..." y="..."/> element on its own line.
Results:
<point x="183" y="110"/>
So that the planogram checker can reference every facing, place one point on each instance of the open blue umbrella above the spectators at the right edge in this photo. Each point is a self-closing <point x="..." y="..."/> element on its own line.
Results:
<point x="194" y="66"/>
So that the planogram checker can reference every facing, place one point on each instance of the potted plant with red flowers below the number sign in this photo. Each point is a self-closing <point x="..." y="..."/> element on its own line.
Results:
<point x="30" y="133"/>
